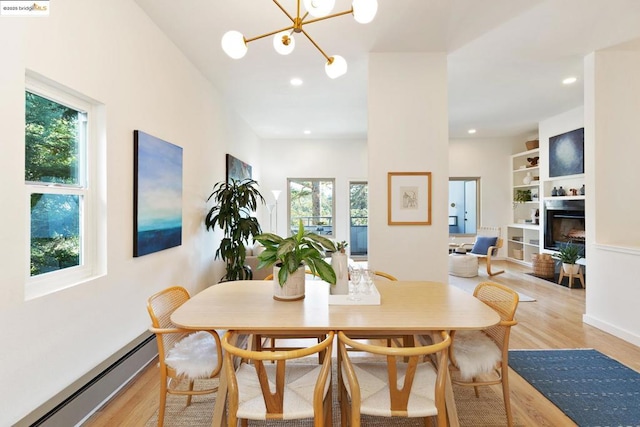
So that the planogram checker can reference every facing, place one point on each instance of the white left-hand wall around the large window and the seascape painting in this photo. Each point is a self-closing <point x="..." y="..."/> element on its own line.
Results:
<point x="113" y="53"/>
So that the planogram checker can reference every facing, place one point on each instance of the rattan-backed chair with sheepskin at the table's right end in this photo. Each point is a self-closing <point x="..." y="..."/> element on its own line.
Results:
<point x="481" y="358"/>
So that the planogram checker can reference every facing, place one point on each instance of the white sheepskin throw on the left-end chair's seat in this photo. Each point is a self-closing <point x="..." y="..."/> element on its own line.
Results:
<point x="194" y="356"/>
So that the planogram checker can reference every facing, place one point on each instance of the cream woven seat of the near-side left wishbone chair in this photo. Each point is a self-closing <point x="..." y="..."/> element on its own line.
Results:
<point x="298" y="391"/>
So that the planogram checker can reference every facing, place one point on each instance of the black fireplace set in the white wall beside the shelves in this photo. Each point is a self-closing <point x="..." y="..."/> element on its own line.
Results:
<point x="564" y="222"/>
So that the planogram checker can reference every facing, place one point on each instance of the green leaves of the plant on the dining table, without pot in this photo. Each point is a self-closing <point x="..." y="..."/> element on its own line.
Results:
<point x="290" y="253"/>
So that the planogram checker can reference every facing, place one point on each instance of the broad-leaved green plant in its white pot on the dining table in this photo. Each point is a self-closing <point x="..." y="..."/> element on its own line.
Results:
<point x="291" y="256"/>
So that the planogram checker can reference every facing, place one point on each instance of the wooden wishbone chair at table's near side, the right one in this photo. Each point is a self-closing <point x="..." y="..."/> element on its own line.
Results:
<point x="406" y="382"/>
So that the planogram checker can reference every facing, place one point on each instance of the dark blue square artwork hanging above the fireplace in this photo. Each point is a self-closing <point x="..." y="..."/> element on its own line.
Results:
<point x="566" y="153"/>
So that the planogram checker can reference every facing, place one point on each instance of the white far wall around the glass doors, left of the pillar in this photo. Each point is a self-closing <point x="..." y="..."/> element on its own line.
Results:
<point x="344" y="160"/>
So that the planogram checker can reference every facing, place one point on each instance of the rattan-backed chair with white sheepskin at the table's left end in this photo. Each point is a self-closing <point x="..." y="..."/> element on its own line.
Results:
<point x="183" y="355"/>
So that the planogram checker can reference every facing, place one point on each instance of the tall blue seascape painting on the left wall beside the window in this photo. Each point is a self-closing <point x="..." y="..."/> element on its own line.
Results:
<point x="157" y="205"/>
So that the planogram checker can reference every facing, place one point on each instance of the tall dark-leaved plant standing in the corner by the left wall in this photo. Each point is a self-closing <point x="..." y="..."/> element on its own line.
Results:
<point x="234" y="203"/>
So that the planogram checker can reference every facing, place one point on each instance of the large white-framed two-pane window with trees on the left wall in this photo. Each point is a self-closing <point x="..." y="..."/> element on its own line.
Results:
<point x="57" y="170"/>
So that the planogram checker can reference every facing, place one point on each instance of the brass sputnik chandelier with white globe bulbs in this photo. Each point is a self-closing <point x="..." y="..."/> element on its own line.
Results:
<point x="235" y="44"/>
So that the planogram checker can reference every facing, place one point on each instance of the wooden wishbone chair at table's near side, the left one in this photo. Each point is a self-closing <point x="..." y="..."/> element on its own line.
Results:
<point x="283" y="390"/>
